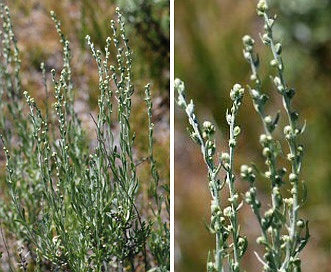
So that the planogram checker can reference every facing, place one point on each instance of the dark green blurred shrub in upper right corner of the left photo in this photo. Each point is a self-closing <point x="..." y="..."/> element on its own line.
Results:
<point x="150" y="21"/>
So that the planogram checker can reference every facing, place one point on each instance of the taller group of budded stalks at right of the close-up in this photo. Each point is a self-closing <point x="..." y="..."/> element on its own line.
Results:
<point x="282" y="244"/>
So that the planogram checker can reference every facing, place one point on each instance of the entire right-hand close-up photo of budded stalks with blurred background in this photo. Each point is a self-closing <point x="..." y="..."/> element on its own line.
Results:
<point x="252" y="162"/>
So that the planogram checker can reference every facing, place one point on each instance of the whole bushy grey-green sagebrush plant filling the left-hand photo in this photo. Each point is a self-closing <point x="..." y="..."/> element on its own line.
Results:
<point x="72" y="207"/>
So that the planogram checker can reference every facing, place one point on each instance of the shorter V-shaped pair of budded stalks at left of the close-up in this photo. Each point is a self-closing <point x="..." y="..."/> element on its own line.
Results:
<point x="224" y="221"/>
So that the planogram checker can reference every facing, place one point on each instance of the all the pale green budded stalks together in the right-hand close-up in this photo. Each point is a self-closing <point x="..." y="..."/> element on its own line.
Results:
<point x="283" y="233"/>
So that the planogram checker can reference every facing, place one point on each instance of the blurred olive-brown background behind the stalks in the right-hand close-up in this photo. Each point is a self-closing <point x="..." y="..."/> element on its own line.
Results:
<point x="208" y="57"/>
